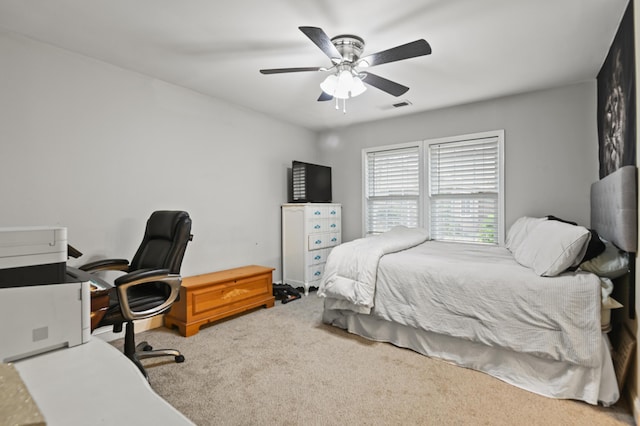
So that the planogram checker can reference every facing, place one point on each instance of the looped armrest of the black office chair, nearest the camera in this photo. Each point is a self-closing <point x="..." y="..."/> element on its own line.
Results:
<point x="145" y="276"/>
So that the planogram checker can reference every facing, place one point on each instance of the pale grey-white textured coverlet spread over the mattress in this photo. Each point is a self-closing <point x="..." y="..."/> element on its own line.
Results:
<point x="482" y="294"/>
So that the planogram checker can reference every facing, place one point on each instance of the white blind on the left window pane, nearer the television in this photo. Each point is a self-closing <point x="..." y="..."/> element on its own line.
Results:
<point x="392" y="188"/>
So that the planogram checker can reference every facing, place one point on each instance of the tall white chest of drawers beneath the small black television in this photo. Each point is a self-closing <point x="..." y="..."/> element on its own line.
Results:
<point x="309" y="231"/>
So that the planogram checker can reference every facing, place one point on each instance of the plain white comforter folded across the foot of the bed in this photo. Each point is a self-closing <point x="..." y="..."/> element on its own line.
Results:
<point x="351" y="268"/>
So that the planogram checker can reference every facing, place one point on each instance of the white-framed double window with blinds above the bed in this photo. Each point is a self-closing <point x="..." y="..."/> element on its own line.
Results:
<point x="460" y="197"/>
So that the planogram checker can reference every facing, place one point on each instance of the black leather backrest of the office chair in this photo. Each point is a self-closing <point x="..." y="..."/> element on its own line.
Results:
<point x="164" y="243"/>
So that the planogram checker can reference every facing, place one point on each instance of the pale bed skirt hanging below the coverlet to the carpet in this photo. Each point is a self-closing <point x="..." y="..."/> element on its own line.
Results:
<point x="554" y="379"/>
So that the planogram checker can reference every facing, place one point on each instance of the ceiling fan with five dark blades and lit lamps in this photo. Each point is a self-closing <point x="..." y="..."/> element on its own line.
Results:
<point x="346" y="80"/>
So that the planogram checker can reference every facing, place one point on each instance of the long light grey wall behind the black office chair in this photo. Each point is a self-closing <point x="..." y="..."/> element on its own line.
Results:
<point x="97" y="148"/>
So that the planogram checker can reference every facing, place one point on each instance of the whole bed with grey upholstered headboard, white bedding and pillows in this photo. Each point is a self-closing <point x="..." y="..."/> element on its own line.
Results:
<point x="533" y="313"/>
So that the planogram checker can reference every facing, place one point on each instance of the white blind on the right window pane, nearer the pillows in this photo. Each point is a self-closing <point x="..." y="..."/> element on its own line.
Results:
<point x="464" y="186"/>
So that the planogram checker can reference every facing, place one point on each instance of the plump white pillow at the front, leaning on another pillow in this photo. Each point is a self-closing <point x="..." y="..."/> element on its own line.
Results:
<point x="551" y="247"/>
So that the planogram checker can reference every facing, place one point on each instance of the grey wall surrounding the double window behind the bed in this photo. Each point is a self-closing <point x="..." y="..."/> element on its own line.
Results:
<point x="551" y="150"/>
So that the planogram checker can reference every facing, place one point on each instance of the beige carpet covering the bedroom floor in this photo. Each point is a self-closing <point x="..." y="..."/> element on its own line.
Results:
<point x="282" y="366"/>
